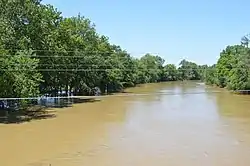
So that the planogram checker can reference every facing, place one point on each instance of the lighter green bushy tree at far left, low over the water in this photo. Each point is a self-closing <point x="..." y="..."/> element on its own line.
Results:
<point x="19" y="77"/>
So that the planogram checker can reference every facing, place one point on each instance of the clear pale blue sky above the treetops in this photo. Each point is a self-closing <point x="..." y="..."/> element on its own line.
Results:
<point x="192" y="29"/>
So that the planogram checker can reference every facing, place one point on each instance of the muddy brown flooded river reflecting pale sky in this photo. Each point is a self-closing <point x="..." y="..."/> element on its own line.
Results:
<point x="194" y="127"/>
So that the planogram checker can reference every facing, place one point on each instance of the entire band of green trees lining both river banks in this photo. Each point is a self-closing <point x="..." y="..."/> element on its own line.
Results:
<point x="42" y="52"/>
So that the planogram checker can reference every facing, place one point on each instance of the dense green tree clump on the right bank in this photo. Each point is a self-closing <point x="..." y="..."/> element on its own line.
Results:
<point x="232" y="69"/>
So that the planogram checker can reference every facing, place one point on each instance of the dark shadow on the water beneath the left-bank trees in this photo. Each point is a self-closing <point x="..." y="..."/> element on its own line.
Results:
<point x="37" y="110"/>
